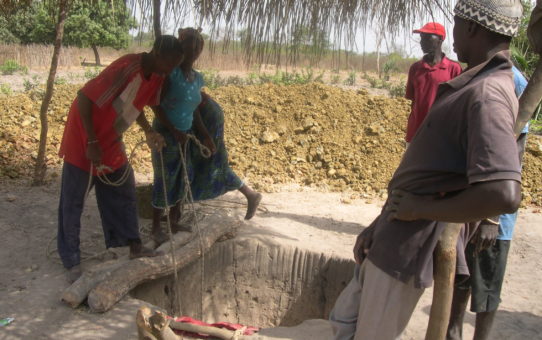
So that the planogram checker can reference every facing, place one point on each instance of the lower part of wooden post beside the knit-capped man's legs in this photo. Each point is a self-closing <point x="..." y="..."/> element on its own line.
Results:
<point x="444" y="272"/>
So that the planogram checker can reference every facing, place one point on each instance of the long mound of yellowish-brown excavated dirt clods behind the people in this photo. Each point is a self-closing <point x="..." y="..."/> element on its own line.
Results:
<point x="313" y="135"/>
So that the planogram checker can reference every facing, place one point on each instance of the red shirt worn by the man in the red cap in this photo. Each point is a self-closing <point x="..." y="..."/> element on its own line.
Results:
<point x="422" y="84"/>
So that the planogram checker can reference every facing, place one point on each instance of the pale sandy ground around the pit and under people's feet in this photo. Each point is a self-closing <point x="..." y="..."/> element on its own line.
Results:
<point x="31" y="281"/>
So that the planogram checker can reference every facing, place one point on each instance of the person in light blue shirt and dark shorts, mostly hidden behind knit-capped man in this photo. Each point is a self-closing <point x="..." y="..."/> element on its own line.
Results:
<point x="486" y="255"/>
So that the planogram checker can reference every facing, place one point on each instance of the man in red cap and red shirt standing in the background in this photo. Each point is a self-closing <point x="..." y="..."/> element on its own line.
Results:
<point x="425" y="75"/>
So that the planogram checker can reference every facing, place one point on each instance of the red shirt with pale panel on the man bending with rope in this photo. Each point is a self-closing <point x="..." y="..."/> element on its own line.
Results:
<point x="118" y="95"/>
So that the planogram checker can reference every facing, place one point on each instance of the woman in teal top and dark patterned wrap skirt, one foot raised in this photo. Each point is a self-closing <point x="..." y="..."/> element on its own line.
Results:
<point x="181" y="112"/>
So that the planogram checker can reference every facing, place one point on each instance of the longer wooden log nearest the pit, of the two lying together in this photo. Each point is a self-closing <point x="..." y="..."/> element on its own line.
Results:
<point x="135" y="272"/>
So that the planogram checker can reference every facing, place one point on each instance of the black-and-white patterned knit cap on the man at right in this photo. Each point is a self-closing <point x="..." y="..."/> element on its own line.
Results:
<point x="501" y="16"/>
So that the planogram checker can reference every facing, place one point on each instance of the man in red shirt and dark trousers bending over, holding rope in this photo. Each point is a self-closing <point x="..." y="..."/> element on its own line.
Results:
<point x="92" y="145"/>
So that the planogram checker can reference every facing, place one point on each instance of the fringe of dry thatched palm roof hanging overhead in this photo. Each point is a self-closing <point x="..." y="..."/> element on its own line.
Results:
<point x="270" y="24"/>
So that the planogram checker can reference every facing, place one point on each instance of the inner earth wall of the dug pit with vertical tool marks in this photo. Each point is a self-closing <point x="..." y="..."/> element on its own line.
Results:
<point x="254" y="283"/>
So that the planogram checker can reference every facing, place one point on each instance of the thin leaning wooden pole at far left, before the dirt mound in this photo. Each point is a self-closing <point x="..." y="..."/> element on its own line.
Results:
<point x="41" y="166"/>
